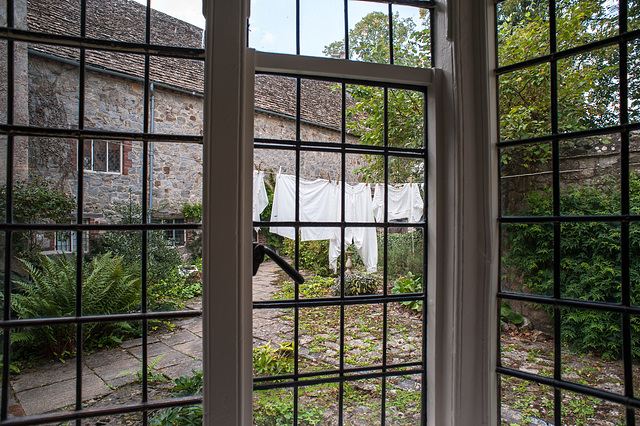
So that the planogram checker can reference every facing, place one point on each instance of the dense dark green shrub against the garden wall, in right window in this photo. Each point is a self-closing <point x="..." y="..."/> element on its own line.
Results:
<point x="590" y="264"/>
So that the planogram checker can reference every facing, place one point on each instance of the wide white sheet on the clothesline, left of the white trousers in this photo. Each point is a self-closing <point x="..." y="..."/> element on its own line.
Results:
<point x="319" y="202"/>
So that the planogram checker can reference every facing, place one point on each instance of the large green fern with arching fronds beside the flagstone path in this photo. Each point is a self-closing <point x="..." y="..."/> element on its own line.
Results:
<point x="109" y="286"/>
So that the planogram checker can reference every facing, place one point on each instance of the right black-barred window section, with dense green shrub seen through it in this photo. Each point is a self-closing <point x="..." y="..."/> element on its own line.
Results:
<point x="567" y="142"/>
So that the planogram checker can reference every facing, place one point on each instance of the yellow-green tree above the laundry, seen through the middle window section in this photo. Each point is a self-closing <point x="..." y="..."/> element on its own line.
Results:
<point x="369" y="42"/>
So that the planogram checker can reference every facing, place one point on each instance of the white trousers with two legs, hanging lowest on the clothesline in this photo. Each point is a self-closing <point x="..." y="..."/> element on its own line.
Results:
<point x="358" y="208"/>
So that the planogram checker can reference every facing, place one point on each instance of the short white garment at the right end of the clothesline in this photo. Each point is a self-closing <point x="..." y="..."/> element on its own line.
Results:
<point x="405" y="202"/>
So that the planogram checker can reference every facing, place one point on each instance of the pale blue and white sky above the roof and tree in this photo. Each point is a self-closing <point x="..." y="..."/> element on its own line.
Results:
<point x="272" y="23"/>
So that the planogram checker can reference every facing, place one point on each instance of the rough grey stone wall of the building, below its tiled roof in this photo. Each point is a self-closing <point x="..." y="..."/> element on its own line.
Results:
<point x="115" y="103"/>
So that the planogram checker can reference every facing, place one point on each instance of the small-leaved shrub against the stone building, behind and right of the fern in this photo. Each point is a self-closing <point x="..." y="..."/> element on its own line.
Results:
<point x="162" y="258"/>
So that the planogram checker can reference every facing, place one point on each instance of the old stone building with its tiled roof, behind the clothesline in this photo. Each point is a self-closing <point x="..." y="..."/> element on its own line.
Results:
<point x="114" y="101"/>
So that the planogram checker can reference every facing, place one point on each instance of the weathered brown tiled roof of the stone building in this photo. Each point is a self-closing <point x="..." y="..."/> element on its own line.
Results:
<point x="124" y="20"/>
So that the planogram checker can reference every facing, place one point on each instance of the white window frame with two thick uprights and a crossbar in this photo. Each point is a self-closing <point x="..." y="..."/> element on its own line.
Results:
<point x="462" y="206"/>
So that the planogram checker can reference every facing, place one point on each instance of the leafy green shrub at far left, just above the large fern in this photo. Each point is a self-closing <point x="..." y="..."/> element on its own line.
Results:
<point x="36" y="201"/>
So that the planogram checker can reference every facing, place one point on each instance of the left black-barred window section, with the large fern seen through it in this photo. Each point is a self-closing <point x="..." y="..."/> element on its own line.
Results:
<point x="85" y="94"/>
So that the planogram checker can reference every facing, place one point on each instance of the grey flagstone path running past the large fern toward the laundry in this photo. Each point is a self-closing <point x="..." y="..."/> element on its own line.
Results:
<point x="51" y="386"/>
